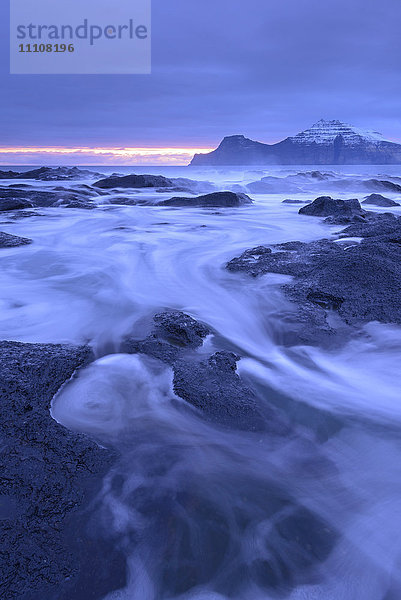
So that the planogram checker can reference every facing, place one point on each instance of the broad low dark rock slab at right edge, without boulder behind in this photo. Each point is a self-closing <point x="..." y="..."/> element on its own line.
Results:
<point x="359" y="283"/>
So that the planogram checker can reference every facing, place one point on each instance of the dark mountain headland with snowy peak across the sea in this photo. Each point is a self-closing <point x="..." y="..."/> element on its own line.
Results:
<point x="325" y="143"/>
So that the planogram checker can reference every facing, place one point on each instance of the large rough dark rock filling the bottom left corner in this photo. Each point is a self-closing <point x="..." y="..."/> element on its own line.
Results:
<point x="48" y="475"/>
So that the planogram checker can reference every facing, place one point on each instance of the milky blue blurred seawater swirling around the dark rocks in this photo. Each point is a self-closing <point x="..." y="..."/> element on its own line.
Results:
<point x="203" y="512"/>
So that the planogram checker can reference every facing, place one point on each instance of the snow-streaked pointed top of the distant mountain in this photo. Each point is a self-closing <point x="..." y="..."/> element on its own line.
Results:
<point x="325" y="132"/>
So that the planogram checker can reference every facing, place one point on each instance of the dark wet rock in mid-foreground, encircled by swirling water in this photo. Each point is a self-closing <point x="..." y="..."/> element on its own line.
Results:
<point x="210" y="384"/>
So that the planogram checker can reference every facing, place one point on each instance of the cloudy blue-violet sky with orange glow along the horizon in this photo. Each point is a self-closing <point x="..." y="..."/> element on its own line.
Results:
<point x="262" y="68"/>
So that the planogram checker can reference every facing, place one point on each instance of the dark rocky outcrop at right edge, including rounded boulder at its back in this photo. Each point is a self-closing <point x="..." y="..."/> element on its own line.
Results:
<point x="338" y="284"/>
